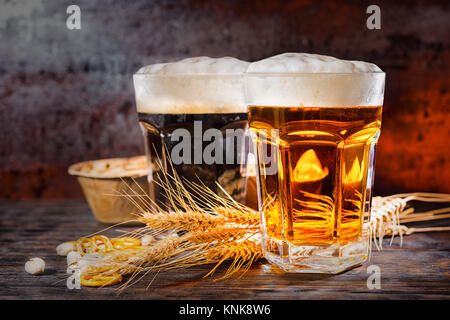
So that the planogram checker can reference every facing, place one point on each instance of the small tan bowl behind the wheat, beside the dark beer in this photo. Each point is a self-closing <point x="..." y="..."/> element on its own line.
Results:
<point x="105" y="181"/>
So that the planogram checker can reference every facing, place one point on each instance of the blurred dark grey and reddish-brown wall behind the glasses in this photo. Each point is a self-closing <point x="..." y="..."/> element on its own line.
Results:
<point x="67" y="95"/>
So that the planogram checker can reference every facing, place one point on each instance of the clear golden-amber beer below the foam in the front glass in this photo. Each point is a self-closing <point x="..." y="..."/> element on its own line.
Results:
<point x="321" y="191"/>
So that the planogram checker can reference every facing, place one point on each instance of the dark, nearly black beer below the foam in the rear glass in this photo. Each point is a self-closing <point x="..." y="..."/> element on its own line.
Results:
<point x="158" y="132"/>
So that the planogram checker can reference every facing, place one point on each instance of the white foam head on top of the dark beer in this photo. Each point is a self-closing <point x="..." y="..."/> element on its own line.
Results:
<point x="193" y="85"/>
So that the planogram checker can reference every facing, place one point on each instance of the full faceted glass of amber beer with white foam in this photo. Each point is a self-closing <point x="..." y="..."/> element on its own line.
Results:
<point x="315" y="134"/>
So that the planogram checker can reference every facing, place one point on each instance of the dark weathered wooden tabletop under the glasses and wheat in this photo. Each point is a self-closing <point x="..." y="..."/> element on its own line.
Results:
<point x="418" y="270"/>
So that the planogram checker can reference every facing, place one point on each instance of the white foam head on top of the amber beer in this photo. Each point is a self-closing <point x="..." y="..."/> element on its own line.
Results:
<point x="302" y="79"/>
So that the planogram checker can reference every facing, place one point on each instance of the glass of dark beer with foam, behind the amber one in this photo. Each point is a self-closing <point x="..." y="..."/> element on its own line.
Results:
<point x="194" y="117"/>
